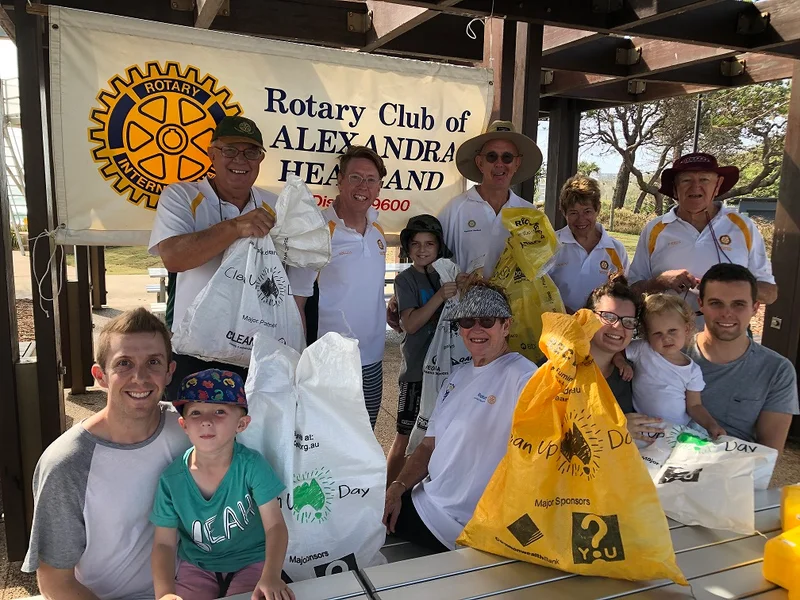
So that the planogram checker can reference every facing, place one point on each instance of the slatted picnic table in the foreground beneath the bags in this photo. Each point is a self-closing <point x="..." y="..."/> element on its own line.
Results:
<point x="718" y="564"/>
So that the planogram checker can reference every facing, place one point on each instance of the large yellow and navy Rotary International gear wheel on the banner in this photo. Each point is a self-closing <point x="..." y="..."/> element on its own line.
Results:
<point x="153" y="128"/>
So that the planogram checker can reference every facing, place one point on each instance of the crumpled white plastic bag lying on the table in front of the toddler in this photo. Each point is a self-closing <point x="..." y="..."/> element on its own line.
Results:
<point x="703" y="484"/>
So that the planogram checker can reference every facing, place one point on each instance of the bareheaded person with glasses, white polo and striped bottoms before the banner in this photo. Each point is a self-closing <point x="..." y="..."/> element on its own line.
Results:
<point x="351" y="298"/>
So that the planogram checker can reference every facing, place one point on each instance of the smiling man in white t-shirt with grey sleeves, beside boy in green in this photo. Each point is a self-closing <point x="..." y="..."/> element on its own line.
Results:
<point x="94" y="486"/>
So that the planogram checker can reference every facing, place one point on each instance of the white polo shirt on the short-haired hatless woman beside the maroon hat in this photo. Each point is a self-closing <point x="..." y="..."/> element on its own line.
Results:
<point x="577" y="272"/>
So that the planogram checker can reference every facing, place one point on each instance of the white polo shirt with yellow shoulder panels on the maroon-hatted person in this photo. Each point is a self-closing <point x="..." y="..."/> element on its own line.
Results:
<point x="668" y="242"/>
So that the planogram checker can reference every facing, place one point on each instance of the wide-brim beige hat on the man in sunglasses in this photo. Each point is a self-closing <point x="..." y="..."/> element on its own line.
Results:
<point x="499" y="130"/>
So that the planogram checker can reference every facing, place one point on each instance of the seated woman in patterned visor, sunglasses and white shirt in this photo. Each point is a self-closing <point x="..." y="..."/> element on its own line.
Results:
<point x="436" y="493"/>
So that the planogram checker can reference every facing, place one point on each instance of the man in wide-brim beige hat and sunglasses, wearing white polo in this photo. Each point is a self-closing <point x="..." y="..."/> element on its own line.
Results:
<point x="472" y="223"/>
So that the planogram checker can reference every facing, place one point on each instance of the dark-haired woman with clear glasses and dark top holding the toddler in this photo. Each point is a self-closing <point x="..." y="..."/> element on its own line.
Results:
<point x="617" y="308"/>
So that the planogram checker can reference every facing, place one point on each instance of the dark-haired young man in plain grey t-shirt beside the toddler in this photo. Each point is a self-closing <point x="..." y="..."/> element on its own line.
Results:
<point x="750" y="390"/>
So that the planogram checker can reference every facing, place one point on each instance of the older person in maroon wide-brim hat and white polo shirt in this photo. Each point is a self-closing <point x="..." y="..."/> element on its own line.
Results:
<point x="676" y="249"/>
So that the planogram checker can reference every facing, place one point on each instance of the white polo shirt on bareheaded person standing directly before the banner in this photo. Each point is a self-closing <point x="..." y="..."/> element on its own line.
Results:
<point x="351" y="299"/>
